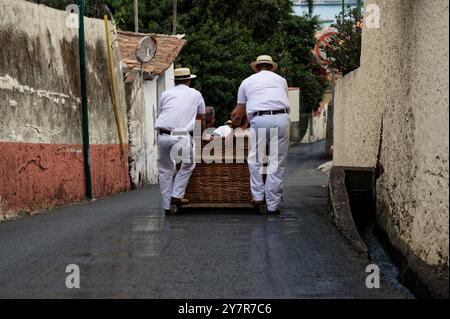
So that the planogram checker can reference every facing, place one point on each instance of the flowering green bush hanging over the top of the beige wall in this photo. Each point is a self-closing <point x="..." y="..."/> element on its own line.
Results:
<point x="345" y="50"/>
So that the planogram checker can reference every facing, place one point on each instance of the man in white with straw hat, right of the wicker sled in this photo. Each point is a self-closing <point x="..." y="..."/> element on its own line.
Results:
<point x="264" y="96"/>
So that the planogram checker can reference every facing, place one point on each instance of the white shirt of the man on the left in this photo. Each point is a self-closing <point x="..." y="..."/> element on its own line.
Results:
<point x="178" y="108"/>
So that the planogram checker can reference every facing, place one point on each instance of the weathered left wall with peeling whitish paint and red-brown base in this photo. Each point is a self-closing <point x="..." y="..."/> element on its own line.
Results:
<point x="40" y="120"/>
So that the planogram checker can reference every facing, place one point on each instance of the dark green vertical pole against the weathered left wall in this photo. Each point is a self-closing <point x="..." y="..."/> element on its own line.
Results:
<point x="84" y="102"/>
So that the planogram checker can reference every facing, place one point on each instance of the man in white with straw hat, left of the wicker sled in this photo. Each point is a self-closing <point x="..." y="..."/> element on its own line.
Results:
<point x="178" y="109"/>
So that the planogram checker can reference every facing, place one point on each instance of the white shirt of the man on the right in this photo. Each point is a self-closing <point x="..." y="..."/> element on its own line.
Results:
<point x="264" y="91"/>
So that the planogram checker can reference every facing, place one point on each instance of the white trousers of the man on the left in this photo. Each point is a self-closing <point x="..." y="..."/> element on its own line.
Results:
<point x="172" y="186"/>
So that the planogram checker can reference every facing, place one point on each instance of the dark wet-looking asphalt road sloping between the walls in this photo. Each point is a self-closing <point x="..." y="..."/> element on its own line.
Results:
<point x="126" y="248"/>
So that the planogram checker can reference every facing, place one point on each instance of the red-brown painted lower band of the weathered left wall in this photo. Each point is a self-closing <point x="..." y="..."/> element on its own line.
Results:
<point x="35" y="176"/>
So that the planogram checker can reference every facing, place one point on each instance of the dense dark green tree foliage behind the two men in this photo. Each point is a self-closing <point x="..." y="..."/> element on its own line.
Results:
<point x="225" y="36"/>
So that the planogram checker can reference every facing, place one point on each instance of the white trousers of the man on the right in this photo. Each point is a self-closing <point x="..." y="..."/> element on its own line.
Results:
<point x="268" y="132"/>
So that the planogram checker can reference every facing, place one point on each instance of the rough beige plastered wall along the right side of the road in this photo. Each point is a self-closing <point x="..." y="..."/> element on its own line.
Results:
<point x="394" y="111"/>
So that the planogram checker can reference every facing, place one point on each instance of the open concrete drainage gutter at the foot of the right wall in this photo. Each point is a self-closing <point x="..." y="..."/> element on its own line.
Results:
<point x="352" y="203"/>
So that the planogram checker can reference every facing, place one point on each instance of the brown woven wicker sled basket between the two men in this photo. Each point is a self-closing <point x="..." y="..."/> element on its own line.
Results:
<point x="225" y="182"/>
